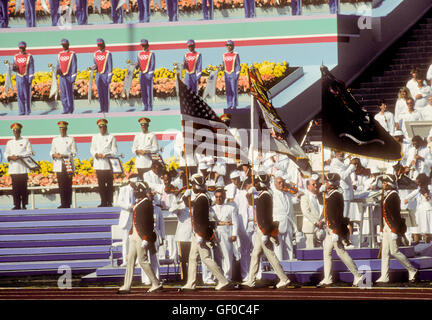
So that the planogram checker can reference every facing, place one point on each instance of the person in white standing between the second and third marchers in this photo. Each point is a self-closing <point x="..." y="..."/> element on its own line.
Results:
<point x="226" y="231"/>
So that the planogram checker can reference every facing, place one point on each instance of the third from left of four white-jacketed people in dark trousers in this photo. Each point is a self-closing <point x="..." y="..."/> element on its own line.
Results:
<point x="103" y="146"/>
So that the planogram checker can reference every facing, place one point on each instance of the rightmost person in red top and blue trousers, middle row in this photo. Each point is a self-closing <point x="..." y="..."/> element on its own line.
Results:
<point x="231" y="65"/>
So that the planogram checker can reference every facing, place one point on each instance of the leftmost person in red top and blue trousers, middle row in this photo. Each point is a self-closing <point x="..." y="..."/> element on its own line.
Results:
<point x="24" y="68"/>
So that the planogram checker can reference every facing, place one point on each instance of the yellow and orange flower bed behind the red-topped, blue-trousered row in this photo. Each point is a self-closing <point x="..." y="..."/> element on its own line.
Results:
<point x="163" y="80"/>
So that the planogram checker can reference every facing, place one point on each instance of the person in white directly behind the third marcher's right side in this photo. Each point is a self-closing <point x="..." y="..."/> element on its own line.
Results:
<point x="283" y="212"/>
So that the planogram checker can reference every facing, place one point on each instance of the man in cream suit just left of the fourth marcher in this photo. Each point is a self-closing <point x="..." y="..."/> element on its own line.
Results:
<point x="313" y="223"/>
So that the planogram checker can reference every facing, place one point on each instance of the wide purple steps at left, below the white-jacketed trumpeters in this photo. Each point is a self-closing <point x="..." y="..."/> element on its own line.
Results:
<point x="38" y="242"/>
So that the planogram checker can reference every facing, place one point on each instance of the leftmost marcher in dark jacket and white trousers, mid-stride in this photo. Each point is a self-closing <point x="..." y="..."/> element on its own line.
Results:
<point x="141" y="240"/>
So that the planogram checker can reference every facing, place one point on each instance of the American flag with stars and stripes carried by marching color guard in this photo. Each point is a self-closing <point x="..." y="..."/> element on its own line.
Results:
<point x="203" y="131"/>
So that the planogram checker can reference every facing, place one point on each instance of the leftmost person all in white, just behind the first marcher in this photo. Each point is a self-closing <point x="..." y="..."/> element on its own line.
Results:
<point x="126" y="202"/>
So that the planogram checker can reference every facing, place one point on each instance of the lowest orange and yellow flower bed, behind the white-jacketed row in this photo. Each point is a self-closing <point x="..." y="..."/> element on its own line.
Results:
<point x="84" y="173"/>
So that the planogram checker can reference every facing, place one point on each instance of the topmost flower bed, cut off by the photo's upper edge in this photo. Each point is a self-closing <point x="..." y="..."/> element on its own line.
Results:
<point x="183" y="5"/>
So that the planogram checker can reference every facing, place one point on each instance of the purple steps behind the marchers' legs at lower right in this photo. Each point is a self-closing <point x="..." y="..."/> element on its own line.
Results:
<point x="309" y="266"/>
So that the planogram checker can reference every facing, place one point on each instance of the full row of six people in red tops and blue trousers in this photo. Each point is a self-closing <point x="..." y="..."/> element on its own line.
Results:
<point x="66" y="68"/>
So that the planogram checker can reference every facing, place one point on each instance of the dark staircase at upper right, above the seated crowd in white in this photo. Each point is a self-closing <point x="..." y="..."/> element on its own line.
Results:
<point x="391" y="71"/>
